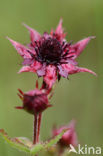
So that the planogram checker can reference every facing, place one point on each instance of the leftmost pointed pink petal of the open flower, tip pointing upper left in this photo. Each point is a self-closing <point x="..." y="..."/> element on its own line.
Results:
<point x="21" y="49"/>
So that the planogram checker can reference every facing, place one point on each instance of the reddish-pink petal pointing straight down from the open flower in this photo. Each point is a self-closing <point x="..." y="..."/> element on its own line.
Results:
<point x="50" y="76"/>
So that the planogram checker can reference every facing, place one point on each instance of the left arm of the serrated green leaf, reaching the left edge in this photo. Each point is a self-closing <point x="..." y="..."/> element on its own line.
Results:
<point x="14" y="142"/>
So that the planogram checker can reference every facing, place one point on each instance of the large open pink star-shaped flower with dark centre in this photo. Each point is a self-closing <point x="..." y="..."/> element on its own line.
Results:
<point x="50" y="55"/>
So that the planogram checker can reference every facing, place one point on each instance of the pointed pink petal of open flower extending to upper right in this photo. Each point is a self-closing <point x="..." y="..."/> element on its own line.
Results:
<point x="81" y="45"/>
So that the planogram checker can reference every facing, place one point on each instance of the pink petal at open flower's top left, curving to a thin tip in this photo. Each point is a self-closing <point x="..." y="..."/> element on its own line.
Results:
<point x="34" y="35"/>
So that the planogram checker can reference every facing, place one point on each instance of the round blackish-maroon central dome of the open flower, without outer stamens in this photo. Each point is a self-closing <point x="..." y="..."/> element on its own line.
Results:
<point x="50" y="51"/>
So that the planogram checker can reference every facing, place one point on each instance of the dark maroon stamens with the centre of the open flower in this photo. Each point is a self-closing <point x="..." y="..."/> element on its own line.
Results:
<point x="50" y="51"/>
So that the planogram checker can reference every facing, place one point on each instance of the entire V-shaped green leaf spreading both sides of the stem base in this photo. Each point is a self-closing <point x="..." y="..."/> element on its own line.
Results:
<point x="25" y="145"/>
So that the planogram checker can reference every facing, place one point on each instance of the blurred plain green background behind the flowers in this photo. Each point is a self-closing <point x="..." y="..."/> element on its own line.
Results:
<point x="80" y="97"/>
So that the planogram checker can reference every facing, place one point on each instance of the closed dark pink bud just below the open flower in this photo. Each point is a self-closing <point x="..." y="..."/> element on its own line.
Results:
<point x="34" y="101"/>
